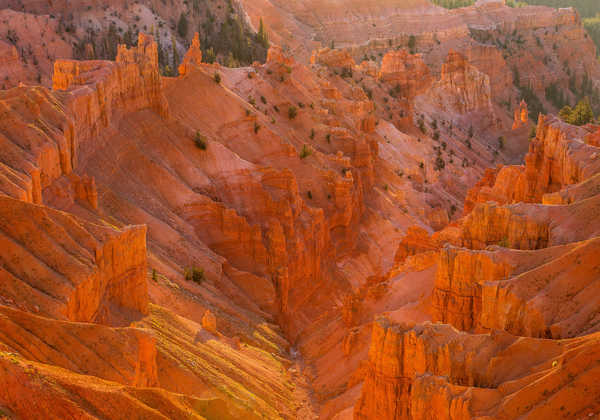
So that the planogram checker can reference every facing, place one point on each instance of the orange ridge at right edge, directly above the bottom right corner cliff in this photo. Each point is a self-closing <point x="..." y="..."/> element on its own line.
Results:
<point x="551" y="300"/>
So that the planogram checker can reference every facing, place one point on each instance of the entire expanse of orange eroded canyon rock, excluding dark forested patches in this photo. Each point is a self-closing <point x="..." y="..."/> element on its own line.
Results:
<point x="223" y="244"/>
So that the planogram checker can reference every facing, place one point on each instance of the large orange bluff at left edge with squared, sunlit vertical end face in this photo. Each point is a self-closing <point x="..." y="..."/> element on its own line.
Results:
<point x="74" y="270"/>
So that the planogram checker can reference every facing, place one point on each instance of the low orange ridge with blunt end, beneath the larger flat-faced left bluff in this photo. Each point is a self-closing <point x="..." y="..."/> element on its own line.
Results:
<point x="123" y="355"/>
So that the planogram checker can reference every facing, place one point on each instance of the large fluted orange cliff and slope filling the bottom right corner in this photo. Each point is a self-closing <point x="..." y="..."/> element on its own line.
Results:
<point x="413" y="372"/>
